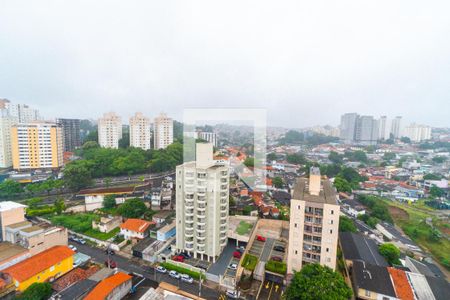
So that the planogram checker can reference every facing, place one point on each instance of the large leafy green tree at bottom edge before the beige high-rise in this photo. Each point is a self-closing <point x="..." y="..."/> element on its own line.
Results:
<point x="318" y="282"/>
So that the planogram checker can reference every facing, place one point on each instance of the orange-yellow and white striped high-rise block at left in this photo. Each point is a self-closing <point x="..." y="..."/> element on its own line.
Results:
<point x="37" y="145"/>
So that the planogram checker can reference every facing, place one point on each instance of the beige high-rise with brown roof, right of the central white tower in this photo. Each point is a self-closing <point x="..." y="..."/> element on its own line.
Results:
<point x="314" y="223"/>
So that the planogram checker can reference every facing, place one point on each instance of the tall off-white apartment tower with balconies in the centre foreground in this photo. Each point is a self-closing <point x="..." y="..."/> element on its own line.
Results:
<point x="202" y="205"/>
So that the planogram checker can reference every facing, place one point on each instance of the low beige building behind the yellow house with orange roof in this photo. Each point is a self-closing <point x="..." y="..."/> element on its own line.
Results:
<point x="35" y="238"/>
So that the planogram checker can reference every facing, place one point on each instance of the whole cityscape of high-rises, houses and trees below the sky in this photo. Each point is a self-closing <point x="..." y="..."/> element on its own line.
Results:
<point x="100" y="210"/>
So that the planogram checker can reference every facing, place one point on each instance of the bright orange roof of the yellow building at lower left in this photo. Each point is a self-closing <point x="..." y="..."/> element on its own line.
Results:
<point x="39" y="262"/>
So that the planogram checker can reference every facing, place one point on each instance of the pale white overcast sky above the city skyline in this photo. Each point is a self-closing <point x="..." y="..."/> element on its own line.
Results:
<point x="307" y="62"/>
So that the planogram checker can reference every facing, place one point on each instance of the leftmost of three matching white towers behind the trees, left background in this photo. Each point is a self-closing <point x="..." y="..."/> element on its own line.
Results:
<point x="109" y="130"/>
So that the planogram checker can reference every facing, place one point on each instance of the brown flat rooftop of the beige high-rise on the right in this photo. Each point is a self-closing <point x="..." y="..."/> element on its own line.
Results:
<point x="327" y="193"/>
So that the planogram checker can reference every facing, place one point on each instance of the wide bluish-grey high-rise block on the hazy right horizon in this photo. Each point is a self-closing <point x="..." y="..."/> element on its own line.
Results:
<point x="358" y="129"/>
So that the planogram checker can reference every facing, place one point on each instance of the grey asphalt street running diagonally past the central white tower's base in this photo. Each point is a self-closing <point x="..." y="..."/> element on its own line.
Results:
<point x="130" y="266"/>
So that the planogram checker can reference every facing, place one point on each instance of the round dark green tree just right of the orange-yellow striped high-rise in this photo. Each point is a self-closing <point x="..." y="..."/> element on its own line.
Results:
<point x="77" y="174"/>
